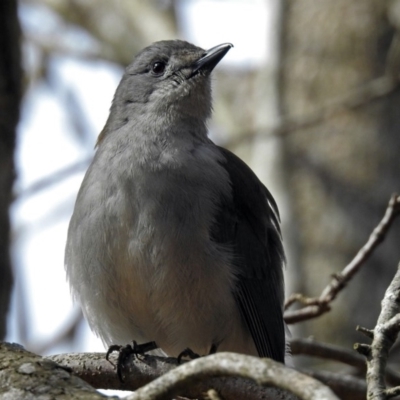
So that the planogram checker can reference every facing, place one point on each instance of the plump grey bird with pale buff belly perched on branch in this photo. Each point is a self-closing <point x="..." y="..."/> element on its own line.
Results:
<point x="173" y="239"/>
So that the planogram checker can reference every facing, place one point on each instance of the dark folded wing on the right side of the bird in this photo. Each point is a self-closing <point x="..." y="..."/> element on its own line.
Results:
<point x="249" y="223"/>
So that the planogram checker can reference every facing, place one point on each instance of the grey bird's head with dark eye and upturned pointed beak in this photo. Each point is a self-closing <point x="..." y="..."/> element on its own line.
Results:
<point x="167" y="80"/>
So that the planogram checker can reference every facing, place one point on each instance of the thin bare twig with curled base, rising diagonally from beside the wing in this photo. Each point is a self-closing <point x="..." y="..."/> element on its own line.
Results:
<point x="317" y="306"/>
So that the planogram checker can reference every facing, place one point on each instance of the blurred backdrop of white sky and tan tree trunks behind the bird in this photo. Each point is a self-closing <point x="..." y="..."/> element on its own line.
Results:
<point x="298" y="98"/>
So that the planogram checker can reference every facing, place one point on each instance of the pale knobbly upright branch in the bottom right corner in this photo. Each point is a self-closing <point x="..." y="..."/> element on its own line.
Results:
<point x="385" y="334"/>
